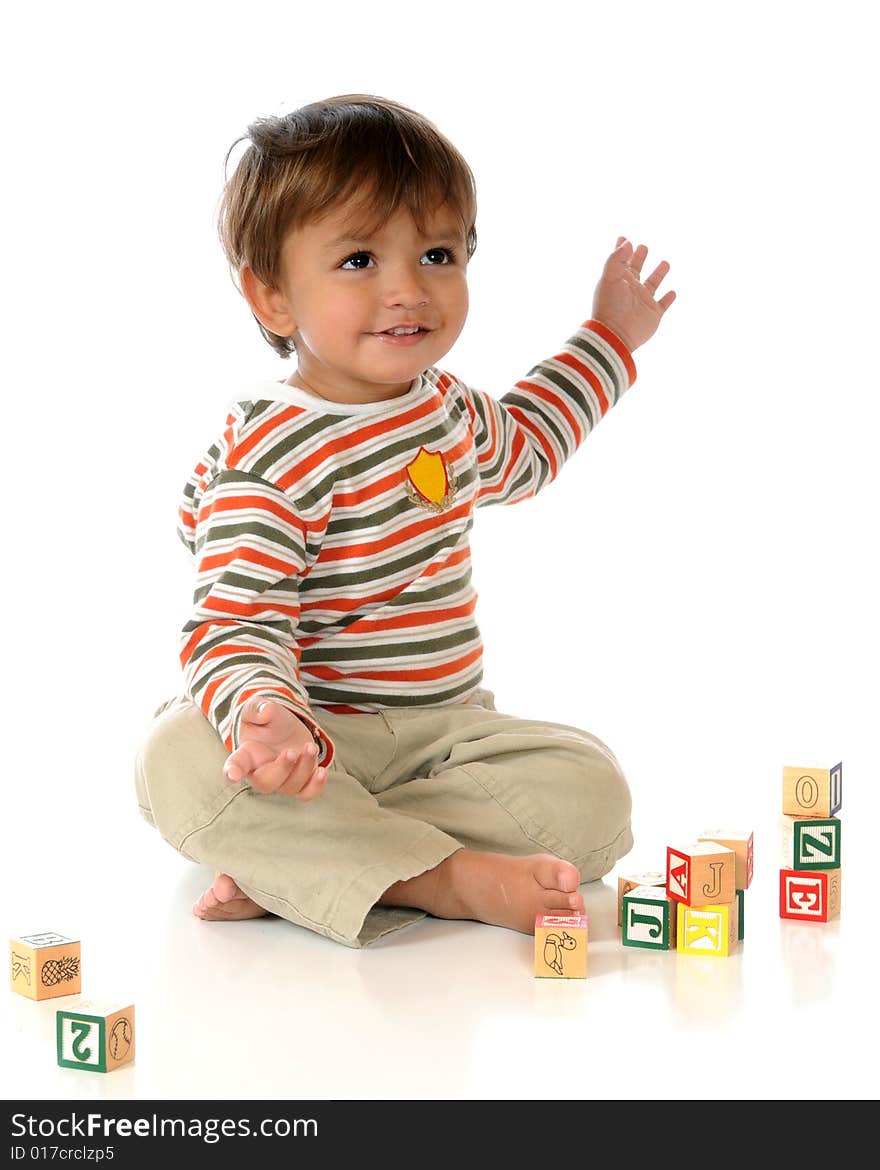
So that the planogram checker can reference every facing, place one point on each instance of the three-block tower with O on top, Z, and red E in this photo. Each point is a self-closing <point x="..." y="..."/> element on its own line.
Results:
<point x="810" y="878"/>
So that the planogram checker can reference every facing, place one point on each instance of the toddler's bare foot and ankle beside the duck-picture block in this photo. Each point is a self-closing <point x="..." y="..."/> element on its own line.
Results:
<point x="497" y="889"/>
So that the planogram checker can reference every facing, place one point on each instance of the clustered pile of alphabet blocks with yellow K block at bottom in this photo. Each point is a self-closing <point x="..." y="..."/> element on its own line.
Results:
<point x="698" y="906"/>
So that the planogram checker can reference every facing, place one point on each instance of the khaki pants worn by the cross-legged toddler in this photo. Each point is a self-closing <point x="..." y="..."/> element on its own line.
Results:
<point x="407" y="789"/>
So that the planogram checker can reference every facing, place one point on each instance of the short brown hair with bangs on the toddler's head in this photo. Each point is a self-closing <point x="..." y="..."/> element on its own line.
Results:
<point x="304" y="164"/>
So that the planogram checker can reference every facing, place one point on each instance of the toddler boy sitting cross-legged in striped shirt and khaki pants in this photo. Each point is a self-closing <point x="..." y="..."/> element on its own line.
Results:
<point x="333" y="755"/>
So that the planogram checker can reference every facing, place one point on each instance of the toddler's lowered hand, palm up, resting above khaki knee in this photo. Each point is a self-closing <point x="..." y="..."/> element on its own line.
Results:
<point x="277" y="753"/>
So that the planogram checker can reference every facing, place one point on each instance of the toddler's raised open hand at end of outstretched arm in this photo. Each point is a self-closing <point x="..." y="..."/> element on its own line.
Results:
<point x="627" y="304"/>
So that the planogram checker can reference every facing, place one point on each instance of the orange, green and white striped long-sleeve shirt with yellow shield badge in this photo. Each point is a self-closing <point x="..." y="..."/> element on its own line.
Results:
<point x="332" y="541"/>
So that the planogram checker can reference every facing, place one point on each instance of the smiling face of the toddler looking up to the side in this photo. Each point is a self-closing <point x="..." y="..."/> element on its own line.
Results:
<point x="339" y="295"/>
